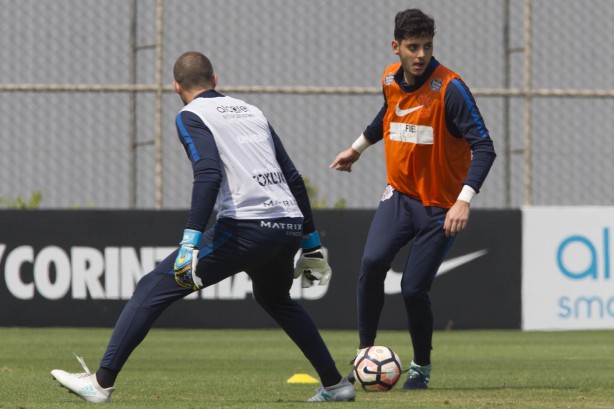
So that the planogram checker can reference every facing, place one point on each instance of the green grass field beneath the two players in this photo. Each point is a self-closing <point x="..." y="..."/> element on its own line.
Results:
<point x="249" y="369"/>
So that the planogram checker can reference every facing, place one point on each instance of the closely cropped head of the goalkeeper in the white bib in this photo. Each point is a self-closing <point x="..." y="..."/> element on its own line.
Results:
<point x="193" y="71"/>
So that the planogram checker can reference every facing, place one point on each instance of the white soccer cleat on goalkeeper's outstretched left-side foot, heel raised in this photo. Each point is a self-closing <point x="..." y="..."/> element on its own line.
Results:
<point x="84" y="385"/>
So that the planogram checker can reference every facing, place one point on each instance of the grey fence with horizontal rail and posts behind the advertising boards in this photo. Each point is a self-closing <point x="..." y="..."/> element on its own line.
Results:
<point x="87" y="111"/>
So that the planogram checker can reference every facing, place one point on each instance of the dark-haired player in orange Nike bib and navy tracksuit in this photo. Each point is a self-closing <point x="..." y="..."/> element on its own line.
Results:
<point x="438" y="152"/>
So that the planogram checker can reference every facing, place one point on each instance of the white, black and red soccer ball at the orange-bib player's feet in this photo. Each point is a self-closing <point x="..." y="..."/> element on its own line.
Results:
<point x="377" y="368"/>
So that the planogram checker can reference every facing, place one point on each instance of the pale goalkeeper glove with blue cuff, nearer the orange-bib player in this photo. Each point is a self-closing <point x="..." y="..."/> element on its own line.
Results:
<point x="312" y="265"/>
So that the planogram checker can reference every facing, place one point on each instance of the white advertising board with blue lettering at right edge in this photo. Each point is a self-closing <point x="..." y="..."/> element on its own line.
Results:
<point x="567" y="281"/>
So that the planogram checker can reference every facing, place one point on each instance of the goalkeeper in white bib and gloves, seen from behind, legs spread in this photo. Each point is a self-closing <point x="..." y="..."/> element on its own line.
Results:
<point x="264" y="217"/>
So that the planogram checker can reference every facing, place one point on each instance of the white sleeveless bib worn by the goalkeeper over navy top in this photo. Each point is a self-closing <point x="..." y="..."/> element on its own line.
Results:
<point x="253" y="185"/>
